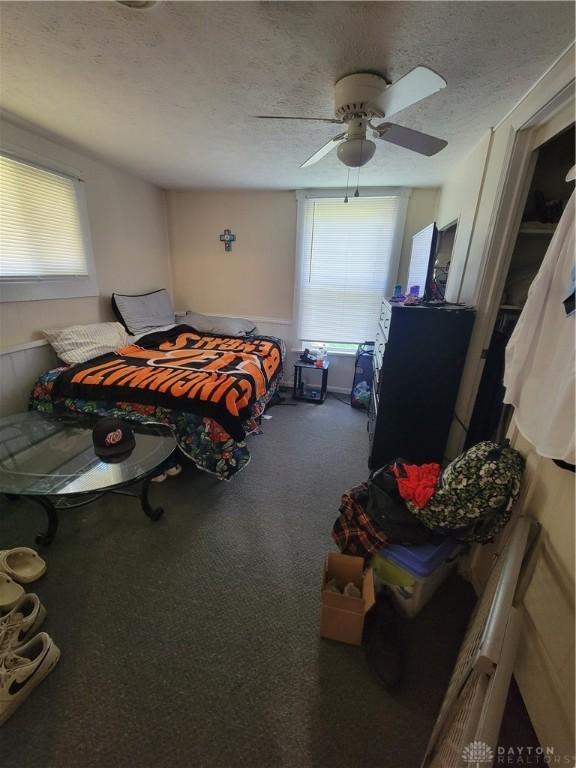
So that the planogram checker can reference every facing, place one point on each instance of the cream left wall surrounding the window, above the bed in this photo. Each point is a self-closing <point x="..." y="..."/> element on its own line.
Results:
<point x="129" y="237"/>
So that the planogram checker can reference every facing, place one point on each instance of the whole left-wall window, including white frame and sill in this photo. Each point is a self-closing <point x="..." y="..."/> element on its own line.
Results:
<point x="44" y="243"/>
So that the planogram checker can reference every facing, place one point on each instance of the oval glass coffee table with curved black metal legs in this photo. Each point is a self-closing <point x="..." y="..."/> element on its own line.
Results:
<point x="51" y="460"/>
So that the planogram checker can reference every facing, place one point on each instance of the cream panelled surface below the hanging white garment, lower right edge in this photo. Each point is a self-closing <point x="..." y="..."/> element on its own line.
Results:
<point x="545" y="665"/>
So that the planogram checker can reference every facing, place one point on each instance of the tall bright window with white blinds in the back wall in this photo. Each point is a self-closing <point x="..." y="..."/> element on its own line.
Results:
<point x="348" y="258"/>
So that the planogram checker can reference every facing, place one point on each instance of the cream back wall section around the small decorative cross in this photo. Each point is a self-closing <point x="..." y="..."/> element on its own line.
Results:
<point x="256" y="277"/>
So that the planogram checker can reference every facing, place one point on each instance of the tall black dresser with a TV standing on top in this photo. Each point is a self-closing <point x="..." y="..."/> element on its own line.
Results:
<point x="418" y="360"/>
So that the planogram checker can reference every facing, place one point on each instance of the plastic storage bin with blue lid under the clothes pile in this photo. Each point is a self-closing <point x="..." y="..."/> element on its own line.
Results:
<point x="413" y="574"/>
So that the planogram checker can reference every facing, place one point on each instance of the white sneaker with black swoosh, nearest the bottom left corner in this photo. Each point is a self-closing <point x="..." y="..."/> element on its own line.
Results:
<point x="22" y="669"/>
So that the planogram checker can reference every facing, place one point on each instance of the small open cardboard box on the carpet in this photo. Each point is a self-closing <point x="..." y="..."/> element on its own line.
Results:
<point x="342" y="617"/>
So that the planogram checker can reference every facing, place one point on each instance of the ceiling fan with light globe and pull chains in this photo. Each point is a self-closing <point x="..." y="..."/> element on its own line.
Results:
<point x="364" y="97"/>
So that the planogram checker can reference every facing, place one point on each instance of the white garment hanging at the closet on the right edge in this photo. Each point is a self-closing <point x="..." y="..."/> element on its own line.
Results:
<point x="539" y="373"/>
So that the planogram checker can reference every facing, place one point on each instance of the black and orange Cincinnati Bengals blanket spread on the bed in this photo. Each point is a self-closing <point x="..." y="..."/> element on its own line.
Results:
<point x="217" y="376"/>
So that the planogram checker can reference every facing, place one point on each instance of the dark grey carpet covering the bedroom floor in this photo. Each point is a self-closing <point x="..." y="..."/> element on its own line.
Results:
<point x="194" y="641"/>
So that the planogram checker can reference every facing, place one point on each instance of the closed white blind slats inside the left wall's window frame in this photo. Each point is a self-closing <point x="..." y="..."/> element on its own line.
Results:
<point x="40" y="226"/>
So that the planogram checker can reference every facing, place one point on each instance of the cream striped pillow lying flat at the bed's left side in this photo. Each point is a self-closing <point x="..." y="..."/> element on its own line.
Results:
<point x="79" y="343"/>
